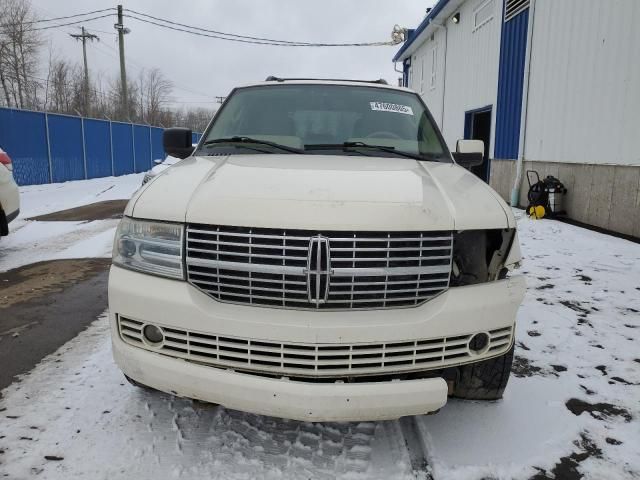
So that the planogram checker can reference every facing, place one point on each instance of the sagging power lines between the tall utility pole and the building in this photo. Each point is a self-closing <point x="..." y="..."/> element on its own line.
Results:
<point x="250" y="40"/>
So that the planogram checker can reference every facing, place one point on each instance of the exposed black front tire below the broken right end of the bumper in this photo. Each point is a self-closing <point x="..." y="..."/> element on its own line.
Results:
<point x="485" y="380"/>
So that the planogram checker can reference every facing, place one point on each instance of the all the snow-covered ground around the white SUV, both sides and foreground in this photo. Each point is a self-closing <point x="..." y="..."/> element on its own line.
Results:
<point x="572" y="407"/>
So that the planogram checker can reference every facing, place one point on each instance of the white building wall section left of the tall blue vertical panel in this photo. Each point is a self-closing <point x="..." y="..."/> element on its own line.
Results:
<point x="471" y="68"/>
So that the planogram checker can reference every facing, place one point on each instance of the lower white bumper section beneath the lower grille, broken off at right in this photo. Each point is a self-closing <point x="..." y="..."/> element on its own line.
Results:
<point x="280" y="397"/>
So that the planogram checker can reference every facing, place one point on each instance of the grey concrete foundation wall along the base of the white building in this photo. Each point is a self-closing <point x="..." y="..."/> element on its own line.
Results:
<point x="605" y="196"/>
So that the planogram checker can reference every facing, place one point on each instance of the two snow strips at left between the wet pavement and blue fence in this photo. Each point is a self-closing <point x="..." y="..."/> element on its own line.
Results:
<point x="34" y="241"/>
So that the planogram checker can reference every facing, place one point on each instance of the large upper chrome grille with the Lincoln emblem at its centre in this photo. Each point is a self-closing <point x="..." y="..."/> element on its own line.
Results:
<point x="318" y="270"/>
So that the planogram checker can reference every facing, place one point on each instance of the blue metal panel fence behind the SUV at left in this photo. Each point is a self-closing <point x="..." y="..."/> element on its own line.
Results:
<point x="49" y="148"/>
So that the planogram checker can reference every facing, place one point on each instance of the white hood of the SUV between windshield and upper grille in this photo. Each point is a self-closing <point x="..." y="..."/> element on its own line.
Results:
<point x="322" y="192"/>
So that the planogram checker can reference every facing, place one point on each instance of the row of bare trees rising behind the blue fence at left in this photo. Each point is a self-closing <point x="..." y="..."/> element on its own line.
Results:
<point x="63" y="90"/>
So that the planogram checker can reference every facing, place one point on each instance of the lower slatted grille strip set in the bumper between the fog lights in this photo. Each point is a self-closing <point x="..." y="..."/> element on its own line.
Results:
<point x="316" y="360"/>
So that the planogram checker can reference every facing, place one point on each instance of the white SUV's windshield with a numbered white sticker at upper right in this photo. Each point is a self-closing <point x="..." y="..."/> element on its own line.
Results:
<point x="325" y="119"/>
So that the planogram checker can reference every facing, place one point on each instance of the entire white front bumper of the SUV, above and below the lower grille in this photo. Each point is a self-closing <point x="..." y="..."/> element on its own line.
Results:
<point x="145" y="298"/>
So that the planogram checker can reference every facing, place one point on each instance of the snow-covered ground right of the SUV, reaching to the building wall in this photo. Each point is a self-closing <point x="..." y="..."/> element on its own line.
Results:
<point x="578" y="332"/>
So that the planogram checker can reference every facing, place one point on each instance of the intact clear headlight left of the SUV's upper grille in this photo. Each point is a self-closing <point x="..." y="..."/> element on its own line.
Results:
<point x="149" y="247"/>
